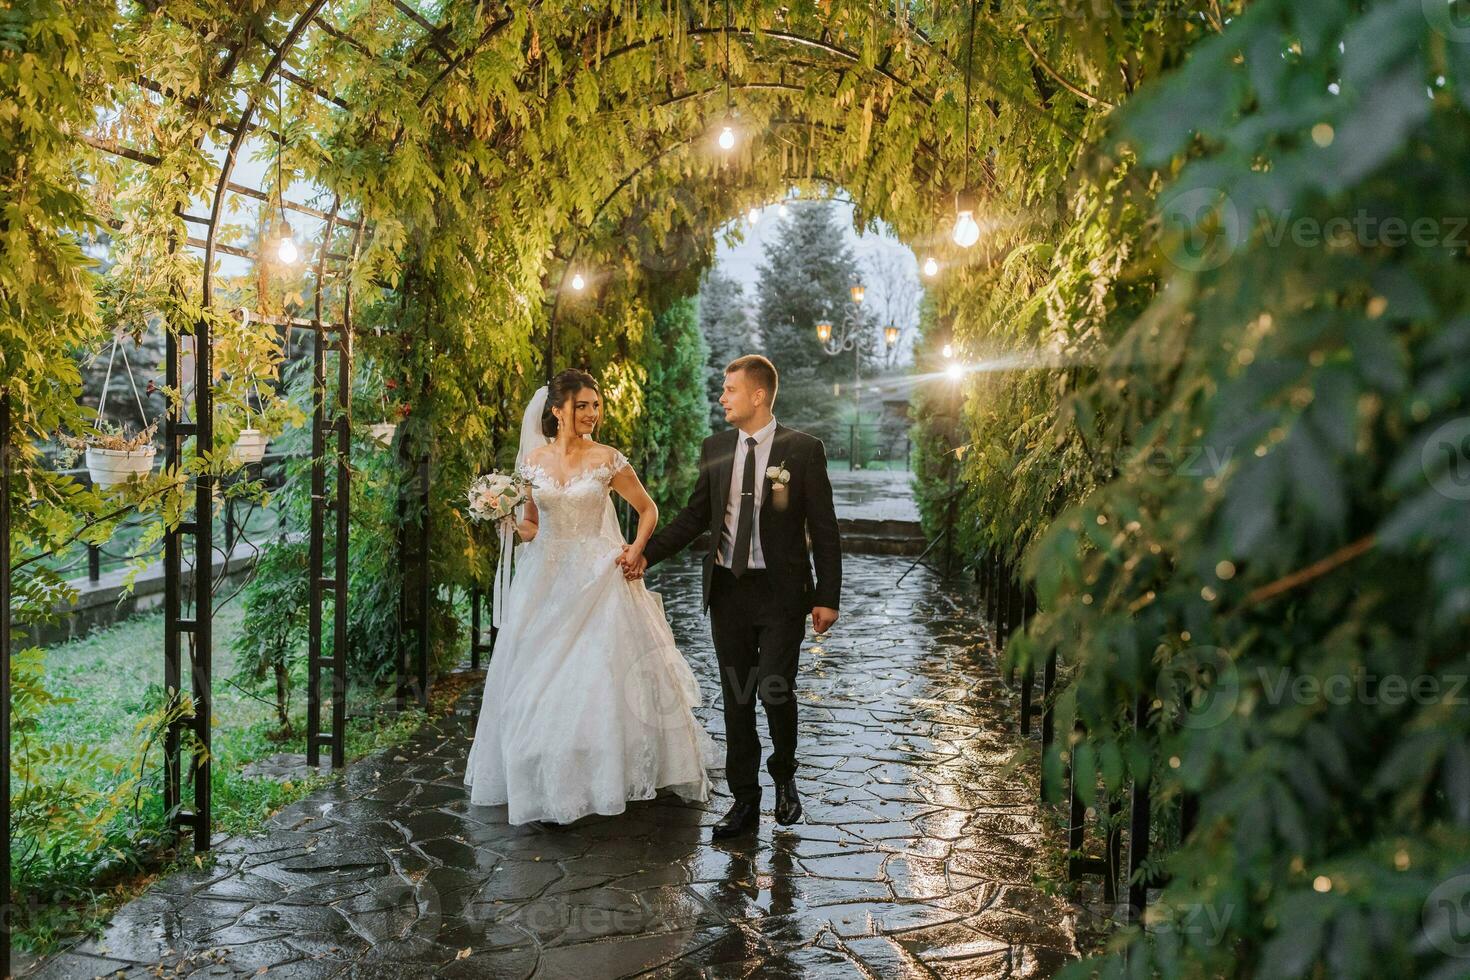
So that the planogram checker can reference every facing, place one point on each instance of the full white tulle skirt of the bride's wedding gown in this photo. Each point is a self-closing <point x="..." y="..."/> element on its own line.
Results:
<point x="589" y="703"/>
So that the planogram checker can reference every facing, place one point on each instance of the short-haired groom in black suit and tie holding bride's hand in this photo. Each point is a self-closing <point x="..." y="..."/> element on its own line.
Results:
<point x="762" y="490"/>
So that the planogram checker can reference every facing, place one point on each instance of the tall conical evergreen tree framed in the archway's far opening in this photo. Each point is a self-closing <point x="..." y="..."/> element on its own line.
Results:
<point x="805" y="278"/>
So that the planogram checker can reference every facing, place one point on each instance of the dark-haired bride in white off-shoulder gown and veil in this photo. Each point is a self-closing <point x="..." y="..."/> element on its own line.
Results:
<point x="589" y="703"/>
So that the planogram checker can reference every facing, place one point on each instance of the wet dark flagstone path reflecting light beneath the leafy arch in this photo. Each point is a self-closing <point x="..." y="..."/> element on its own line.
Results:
<point x="917" y="859"/>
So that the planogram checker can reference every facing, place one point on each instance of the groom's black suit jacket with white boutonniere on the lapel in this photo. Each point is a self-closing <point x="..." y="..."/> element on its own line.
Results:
<point x="783" y="531"/>
